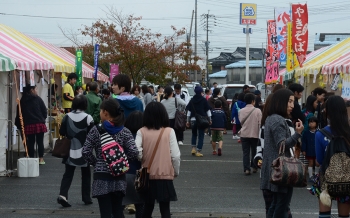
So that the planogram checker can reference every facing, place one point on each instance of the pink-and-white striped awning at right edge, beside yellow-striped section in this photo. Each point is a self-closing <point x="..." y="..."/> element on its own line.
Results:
<point x="339" y="65"/>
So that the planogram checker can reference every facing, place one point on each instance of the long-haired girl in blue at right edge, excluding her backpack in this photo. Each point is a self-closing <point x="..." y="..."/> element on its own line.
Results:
<point x="338" y="125"/>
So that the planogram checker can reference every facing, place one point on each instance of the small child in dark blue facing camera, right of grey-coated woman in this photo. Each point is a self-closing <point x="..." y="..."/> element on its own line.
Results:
<point x="308" y="146"/>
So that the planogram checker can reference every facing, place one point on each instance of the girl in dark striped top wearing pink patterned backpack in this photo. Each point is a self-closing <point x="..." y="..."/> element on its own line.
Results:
<point x="107" y="187"/>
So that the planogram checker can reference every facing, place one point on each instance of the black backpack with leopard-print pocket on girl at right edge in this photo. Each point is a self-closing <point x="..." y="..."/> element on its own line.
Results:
<point x="335" y="170"/>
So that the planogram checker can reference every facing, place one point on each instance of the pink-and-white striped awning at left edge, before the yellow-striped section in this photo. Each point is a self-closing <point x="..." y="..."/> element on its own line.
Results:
<point x="24" y="57"/>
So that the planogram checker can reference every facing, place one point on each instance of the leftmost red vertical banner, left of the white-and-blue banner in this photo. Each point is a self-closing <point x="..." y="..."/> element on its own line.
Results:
<point x="272" y="44"/>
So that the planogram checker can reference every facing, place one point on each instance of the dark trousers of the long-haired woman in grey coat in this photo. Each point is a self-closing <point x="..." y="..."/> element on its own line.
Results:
<point x="280" y="204"/>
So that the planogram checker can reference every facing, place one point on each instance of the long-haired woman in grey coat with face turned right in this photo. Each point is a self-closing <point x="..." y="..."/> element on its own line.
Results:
<point x="276" y="133"/>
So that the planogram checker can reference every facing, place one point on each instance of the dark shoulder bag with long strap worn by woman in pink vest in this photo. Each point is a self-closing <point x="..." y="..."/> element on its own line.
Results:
<point x="142" y="175"/>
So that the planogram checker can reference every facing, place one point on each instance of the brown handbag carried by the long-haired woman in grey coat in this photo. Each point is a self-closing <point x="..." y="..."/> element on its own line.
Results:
<point x="287" y="171"/>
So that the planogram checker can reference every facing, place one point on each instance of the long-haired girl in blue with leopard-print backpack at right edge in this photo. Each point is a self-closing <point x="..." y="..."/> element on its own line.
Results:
<point x="333" y="149"/>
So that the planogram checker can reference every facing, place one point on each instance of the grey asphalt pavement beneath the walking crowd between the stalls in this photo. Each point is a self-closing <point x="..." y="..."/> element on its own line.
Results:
<point x="209" y="186"/>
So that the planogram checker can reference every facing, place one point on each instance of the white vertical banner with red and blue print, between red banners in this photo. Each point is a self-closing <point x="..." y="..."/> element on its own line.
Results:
<point x="283" y="17"/>
